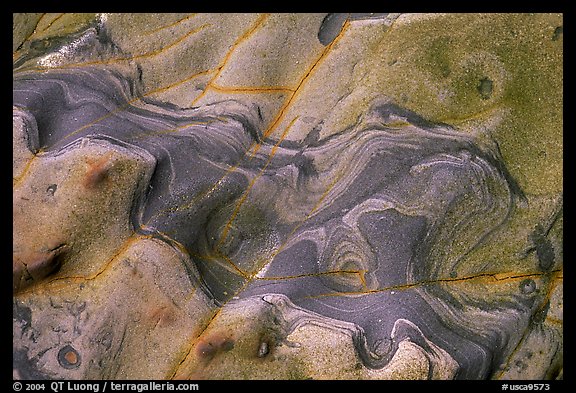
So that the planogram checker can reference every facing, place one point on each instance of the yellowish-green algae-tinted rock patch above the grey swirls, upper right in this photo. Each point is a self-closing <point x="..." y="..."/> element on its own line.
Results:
<point x="454" y="68"/>
